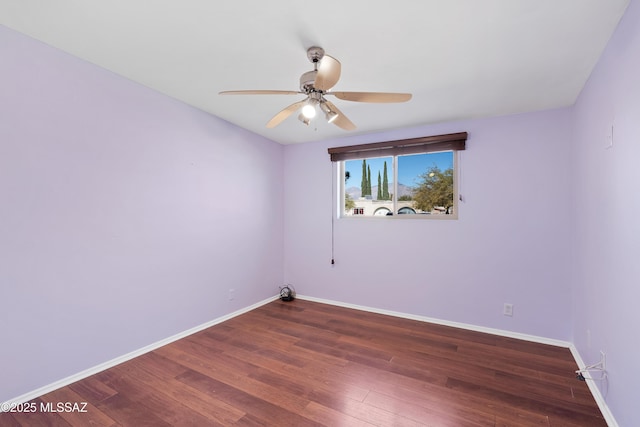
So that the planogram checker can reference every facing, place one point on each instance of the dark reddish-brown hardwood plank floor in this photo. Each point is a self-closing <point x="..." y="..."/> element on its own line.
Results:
<point x="302" y="363"/>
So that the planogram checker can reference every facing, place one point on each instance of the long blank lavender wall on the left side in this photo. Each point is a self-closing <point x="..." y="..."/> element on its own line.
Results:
<point x="124" y="216"/>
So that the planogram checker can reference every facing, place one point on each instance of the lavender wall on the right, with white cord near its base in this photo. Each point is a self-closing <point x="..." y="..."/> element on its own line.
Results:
<point x="607" y="217"/>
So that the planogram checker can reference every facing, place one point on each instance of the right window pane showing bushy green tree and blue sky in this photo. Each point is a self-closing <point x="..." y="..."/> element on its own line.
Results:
<point x="425" y="183"/>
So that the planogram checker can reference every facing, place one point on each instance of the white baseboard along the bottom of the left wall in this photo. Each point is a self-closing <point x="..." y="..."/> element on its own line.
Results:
<point x="121" y="359"/>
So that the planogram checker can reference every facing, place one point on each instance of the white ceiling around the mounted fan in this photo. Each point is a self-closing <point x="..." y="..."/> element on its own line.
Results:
<point x="460" y="58"/>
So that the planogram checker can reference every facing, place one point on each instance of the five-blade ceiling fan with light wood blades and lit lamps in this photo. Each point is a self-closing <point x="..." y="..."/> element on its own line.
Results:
<point x="316" y="84"/>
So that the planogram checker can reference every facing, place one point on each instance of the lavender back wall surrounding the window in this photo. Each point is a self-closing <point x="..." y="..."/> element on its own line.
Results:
<point x="511" y="243"/>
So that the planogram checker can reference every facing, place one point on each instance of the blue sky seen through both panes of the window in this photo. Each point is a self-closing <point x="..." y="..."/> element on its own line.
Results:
<point x="410" y="167"/>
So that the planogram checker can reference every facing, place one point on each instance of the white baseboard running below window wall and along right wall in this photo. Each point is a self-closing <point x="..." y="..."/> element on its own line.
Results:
<point x="595" y="391"/>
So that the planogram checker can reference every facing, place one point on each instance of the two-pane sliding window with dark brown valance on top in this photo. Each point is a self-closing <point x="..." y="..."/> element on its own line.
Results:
<point x="408" y="178"/>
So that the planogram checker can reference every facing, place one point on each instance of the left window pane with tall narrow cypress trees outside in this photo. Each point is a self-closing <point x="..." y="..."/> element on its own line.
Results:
<point x="368" y="187"/>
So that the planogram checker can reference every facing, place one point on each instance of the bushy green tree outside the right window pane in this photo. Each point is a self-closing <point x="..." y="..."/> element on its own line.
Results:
<point x="436" y="189"/>
